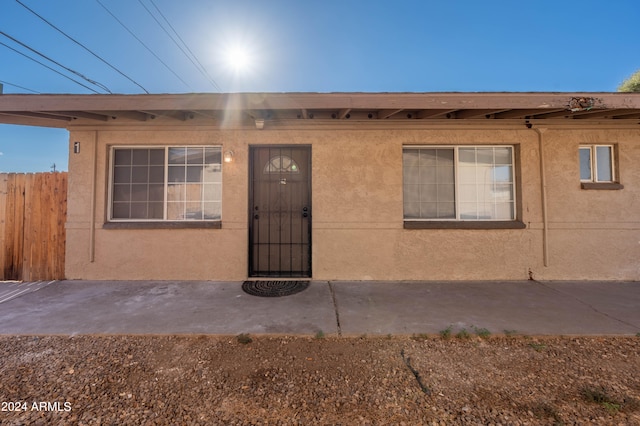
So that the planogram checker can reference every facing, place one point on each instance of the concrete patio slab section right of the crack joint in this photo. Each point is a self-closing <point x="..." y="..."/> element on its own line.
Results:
<point x="529" y="307"/>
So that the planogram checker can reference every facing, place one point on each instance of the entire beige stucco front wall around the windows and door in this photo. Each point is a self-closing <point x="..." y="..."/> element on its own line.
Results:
<point x="357" y="217"/>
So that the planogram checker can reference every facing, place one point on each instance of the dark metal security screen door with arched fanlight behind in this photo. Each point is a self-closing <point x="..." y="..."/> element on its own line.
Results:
<point x="280" y="211"/>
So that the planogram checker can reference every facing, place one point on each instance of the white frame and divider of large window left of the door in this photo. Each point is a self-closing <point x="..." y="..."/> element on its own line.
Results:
<point x="112" y="149"/>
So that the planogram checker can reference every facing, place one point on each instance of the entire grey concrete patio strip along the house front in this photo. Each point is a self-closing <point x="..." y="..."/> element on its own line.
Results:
<point x="342" y="307"/>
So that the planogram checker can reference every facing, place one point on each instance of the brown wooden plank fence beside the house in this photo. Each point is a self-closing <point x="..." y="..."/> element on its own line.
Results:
<point x="33" y="210"/>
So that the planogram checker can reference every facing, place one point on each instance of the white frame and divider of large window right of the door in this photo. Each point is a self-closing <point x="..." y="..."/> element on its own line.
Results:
<point x="455" y="148"/>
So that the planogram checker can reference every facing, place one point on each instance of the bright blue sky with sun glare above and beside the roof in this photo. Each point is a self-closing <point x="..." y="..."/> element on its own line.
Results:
<point x="308" y="46"/>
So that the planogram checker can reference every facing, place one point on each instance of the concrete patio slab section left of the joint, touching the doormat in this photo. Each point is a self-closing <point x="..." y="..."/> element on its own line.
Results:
<point x="165" y="307"/>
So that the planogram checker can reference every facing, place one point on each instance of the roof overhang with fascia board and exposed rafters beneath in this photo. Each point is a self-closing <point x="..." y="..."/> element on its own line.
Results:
<point x="65" y="110"/>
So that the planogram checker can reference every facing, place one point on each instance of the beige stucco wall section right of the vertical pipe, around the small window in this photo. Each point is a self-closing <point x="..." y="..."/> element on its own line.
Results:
<point x="592" y="234"/>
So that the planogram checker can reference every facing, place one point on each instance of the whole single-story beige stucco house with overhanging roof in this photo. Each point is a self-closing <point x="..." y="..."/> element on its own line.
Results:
<point x="348" y="186"/>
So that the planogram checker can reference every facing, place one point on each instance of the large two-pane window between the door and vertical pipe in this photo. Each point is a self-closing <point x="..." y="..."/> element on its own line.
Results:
<point x="459" y="183"/>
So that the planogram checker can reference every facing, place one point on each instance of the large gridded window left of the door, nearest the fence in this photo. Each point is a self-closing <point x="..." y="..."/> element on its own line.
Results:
<point x="166" y="183"/>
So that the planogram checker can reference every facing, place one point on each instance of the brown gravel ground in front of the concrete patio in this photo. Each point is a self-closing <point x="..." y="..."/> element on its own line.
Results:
<point x="203" y="380"/>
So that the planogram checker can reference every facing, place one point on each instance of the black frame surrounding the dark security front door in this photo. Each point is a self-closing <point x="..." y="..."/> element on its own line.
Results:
<point x="250" y="212"/>
